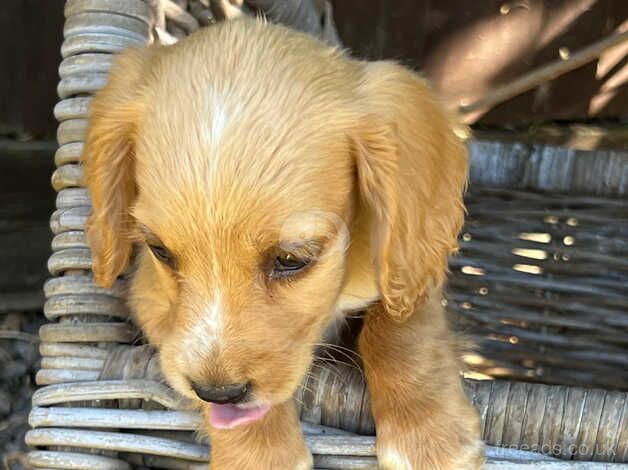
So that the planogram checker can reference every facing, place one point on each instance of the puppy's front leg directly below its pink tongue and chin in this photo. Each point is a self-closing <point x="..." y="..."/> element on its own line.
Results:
<point x="274" y="442"/>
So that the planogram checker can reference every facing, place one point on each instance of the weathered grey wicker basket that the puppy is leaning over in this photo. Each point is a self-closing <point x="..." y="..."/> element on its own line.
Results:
<point x="559" y="317"/>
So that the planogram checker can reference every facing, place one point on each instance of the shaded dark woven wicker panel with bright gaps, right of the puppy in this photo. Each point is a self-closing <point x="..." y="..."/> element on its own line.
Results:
<point x="541" y="283"/>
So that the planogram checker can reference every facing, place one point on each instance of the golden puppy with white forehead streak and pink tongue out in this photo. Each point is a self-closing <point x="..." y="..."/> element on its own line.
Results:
<point x="274" y="184"/>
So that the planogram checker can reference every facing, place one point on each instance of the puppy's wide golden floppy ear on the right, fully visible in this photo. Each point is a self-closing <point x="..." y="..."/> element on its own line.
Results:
<point x="412" y="172"/>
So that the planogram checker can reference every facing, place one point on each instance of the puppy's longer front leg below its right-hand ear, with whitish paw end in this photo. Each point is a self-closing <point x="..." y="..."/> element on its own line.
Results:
<point x="423" y="418"/>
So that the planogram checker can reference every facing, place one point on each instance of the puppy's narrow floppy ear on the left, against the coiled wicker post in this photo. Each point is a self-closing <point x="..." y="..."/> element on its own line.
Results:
<point x="108" y="160"/>
